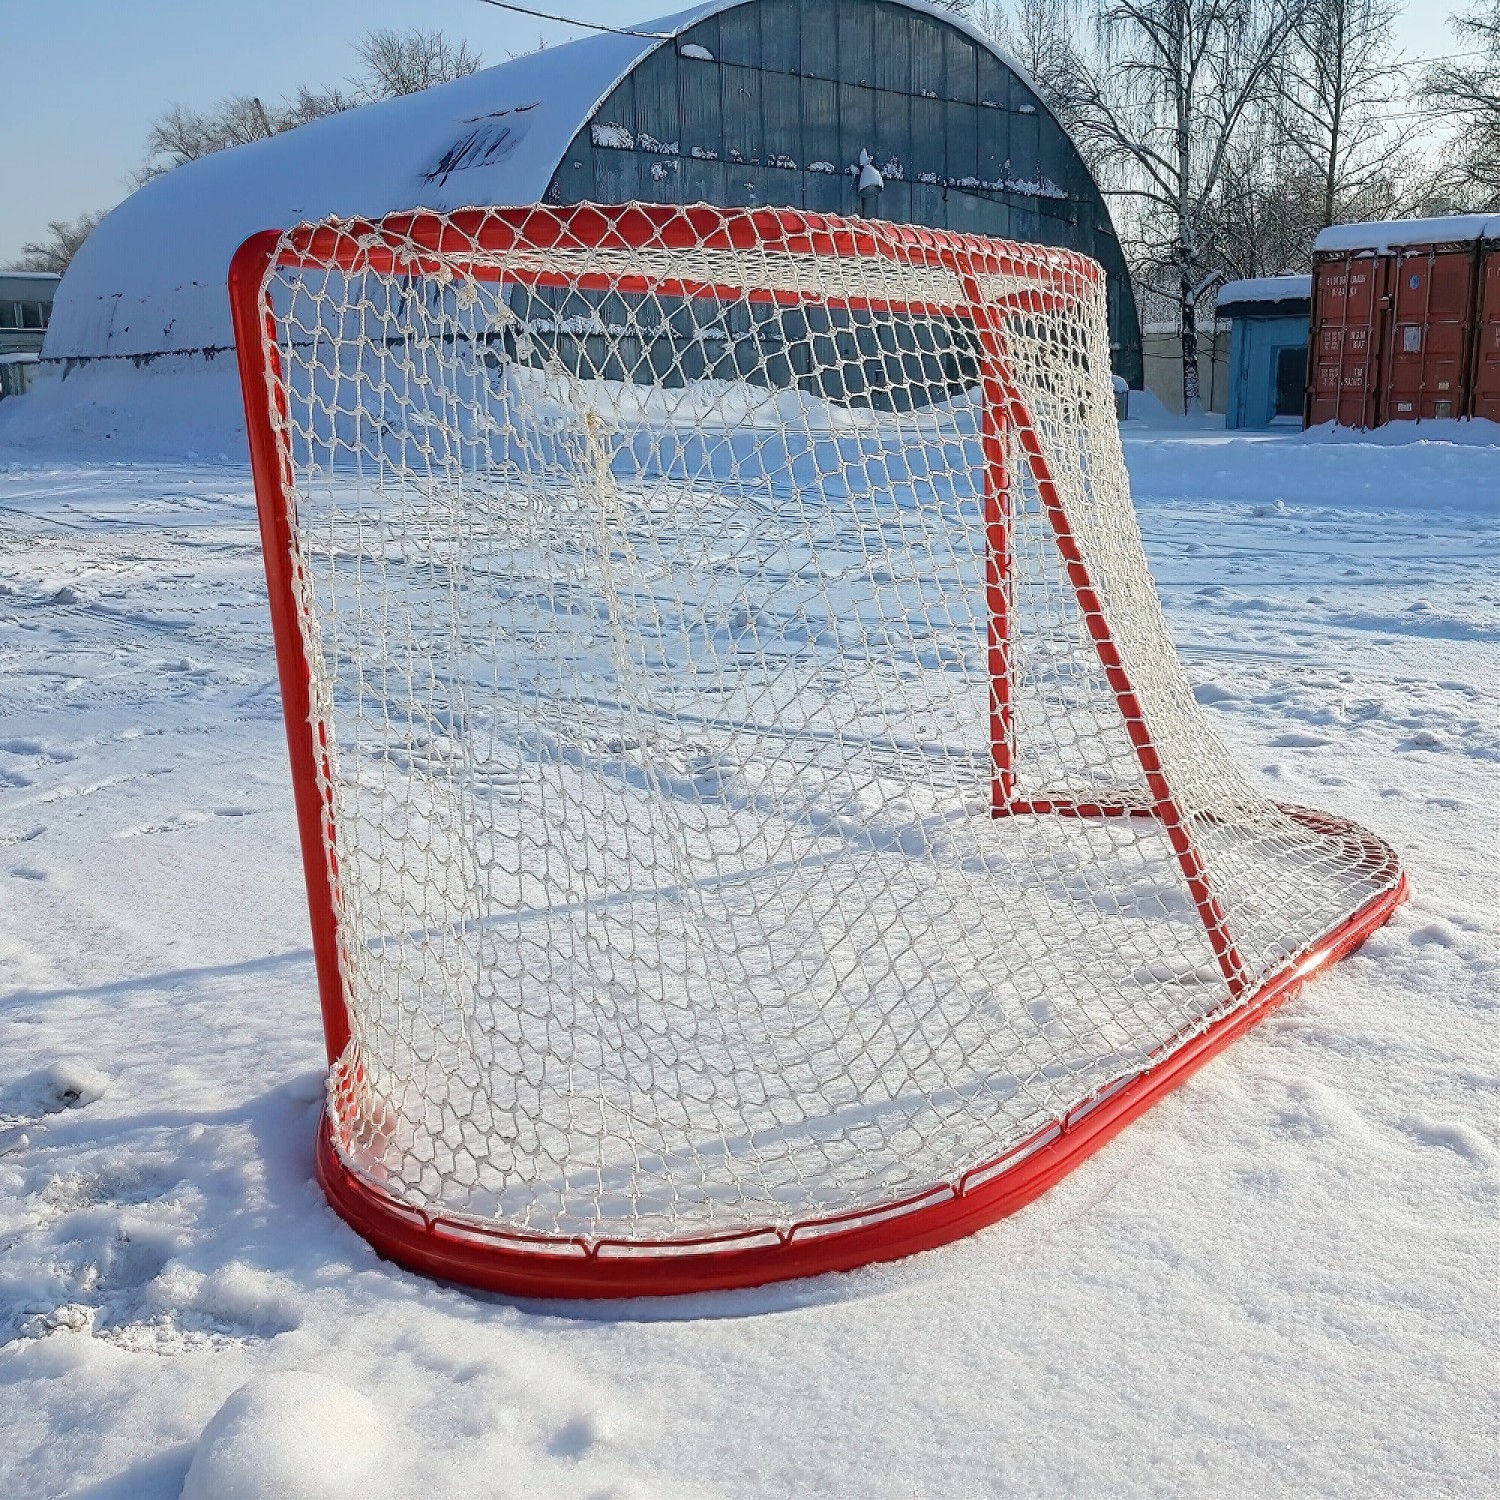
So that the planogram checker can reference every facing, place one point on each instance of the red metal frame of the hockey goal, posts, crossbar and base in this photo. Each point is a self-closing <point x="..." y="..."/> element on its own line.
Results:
<point x="496" y="1259"/>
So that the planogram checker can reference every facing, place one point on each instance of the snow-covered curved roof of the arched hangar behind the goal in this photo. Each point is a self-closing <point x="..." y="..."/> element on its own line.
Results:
<point x="152" y="278"/>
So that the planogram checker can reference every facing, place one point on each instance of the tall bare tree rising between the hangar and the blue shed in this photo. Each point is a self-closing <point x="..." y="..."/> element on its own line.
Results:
<point x="1163" y="101"/>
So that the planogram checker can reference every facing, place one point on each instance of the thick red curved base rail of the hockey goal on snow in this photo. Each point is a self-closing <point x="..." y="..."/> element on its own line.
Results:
<point x="467" y="1252"/>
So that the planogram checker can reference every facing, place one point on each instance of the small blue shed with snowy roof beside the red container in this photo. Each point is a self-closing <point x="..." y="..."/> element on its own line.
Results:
<point x="1268" y="349"/>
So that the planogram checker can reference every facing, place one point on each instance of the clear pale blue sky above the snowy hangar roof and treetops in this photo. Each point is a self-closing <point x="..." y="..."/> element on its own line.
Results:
<point x="85" y="79"/>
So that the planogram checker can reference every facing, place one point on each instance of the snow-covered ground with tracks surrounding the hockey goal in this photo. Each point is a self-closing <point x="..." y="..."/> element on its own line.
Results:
<point x="1279" y="1283"/>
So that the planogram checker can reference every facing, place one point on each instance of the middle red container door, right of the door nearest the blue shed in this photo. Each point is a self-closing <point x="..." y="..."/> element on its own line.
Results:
<point x="1432" y="305"/>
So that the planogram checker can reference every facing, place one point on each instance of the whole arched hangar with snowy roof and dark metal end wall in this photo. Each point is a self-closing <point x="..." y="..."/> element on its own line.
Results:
<point x="731" y="103"/>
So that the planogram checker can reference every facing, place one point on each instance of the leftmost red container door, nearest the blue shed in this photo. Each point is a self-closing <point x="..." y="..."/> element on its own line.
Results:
<point x="1349" y="322"/>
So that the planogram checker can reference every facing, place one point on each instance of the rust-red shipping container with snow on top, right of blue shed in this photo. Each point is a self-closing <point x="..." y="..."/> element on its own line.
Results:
<point x="1400" y="328"/>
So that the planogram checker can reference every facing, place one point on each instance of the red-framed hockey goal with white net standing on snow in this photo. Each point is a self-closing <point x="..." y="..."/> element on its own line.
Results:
<point x="754" y="815"/>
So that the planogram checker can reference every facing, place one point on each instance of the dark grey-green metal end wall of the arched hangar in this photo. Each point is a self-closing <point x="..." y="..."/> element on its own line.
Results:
<point x="793" y="91"/>
